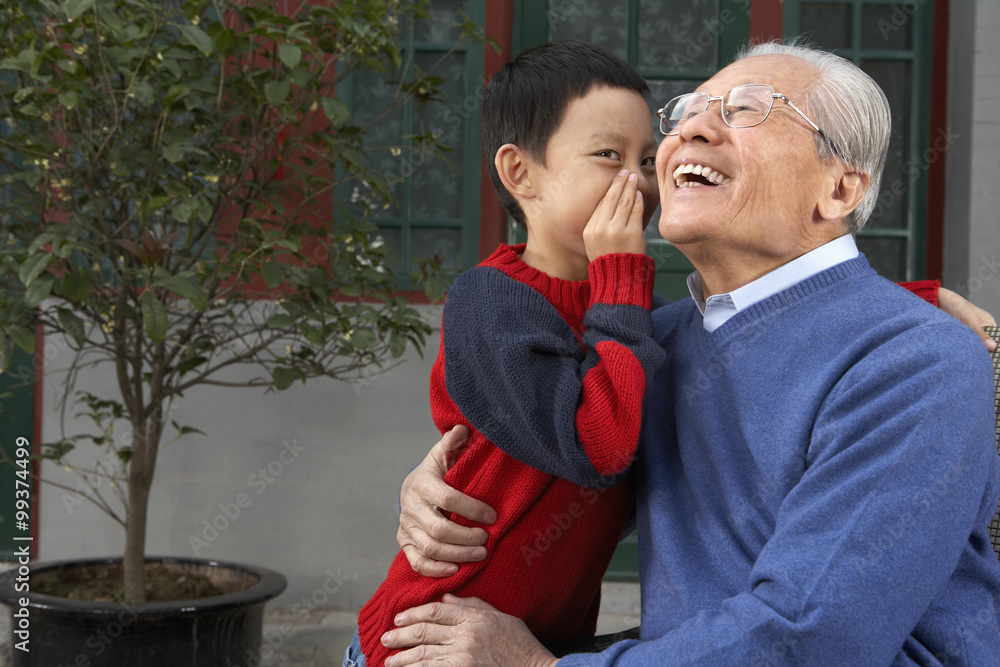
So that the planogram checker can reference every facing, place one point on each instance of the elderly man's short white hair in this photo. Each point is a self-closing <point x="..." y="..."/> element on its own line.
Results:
<point x="850" y="109"/>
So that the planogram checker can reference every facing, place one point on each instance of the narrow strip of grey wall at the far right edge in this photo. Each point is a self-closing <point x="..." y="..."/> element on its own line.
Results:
<point x="972" y="203"/>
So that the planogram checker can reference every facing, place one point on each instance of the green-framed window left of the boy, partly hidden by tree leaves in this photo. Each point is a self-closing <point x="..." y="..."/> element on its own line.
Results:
<point x="407" y="227"/>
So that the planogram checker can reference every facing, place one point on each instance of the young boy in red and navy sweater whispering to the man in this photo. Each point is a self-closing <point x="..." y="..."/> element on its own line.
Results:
<point x="546" y="349"/>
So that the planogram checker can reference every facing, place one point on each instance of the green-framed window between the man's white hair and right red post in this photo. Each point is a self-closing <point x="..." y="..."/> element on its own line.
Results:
<point x="886" y="38"/>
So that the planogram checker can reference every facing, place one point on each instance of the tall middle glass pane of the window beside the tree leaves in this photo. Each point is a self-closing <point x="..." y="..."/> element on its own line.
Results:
<point x="437" y="181"/>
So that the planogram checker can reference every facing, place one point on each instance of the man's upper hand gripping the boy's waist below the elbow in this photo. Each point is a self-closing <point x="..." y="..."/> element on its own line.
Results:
<point x="432" y="543"/>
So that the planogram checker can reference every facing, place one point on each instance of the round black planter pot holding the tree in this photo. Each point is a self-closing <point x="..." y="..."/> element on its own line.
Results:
<point x="220" y="631"/>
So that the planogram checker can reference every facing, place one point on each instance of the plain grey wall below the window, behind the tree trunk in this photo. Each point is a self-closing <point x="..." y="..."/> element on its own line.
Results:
<point x="326" y="521"/>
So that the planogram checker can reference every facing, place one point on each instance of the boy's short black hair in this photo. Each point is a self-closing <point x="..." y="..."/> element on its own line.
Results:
<point x="526" y="100"/>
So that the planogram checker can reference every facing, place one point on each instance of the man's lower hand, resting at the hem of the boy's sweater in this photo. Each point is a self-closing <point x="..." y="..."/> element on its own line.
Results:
<point x="463" y="632"/>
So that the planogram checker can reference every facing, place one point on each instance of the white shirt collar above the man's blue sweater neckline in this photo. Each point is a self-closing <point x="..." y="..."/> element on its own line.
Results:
<point x="720" y="307"/>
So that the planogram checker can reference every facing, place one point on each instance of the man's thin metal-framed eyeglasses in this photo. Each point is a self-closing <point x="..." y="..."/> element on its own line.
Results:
<point x="743" y="106"/>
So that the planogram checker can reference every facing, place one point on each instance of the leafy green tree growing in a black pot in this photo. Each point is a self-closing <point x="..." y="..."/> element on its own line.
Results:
<point x="184" y="192"/>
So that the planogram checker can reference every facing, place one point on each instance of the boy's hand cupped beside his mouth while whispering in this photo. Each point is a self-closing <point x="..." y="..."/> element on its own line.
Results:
<point x="616" y="225"/>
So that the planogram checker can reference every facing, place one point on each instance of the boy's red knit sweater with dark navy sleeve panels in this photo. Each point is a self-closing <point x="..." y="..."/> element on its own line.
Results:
<point x="553" y="539"/>
